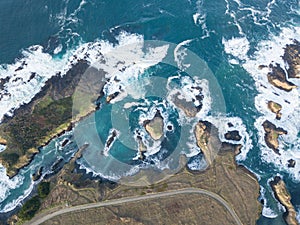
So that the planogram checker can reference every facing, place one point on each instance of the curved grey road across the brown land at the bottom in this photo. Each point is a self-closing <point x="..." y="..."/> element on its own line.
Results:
<point x="44" y="217"/>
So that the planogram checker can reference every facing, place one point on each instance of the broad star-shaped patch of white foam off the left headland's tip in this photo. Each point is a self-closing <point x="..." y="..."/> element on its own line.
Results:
<point x="125" y="65"/>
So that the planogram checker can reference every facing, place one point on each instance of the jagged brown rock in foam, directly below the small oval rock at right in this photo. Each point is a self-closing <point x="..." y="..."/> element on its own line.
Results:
<point x="271" y="135"/>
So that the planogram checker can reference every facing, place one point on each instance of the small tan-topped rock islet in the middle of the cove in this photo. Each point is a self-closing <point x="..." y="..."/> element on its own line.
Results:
<point x="155" y="127"/>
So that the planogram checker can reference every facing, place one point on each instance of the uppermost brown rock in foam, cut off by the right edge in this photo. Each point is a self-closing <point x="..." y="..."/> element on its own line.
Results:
<point x="292" y="58"/>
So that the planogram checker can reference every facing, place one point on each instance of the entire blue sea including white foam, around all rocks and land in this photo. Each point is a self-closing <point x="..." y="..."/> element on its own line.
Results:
<point x="231" y="37"/>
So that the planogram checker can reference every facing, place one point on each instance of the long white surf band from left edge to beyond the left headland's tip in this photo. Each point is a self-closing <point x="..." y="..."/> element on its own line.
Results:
<point x="20" y="89"/>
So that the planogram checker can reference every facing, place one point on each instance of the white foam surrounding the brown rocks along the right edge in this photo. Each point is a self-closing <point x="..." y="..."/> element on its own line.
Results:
<point x="271" y="52"/>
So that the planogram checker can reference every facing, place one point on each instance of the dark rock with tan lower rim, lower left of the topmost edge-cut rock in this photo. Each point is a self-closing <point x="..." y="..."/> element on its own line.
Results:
<point x="277" y="78"/>
